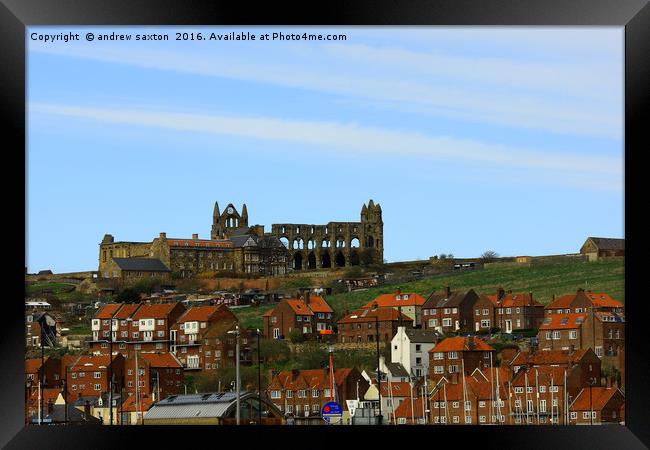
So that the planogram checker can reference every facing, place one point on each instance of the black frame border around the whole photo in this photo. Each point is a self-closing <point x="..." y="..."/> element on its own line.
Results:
<point x="633" y="14"/>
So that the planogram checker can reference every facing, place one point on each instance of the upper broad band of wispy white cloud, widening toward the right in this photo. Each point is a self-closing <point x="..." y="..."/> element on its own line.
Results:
<point x="558" y="98"/>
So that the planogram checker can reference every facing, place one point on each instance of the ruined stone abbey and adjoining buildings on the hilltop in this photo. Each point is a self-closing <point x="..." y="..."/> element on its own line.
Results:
<point x="235" y="247"/>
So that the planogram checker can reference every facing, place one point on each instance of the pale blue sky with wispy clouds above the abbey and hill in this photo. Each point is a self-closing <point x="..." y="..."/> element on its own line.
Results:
<point x="509" y="139"/>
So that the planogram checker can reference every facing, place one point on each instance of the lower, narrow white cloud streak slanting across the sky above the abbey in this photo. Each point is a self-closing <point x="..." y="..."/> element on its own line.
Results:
<point x="351" y="137"/>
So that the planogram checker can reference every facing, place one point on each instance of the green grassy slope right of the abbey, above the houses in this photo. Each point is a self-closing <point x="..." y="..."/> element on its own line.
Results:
<point x="543" y="281"/>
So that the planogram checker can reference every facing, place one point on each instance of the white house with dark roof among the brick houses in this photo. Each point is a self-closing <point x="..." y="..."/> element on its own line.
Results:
<point x="410" y="348"/>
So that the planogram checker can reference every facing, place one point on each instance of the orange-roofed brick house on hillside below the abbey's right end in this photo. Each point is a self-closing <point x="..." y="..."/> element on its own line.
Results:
<point x="310" y="316"/>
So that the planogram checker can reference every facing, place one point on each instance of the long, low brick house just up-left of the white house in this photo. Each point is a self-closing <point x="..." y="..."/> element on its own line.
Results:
<point x="363" y="325"/>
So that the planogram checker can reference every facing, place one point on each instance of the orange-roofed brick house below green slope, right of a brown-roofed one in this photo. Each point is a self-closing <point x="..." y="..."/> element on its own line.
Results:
<point x="507" y="311"/>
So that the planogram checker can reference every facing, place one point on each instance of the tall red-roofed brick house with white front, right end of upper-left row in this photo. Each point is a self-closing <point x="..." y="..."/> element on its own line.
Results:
<point x="201" y="340"/>
